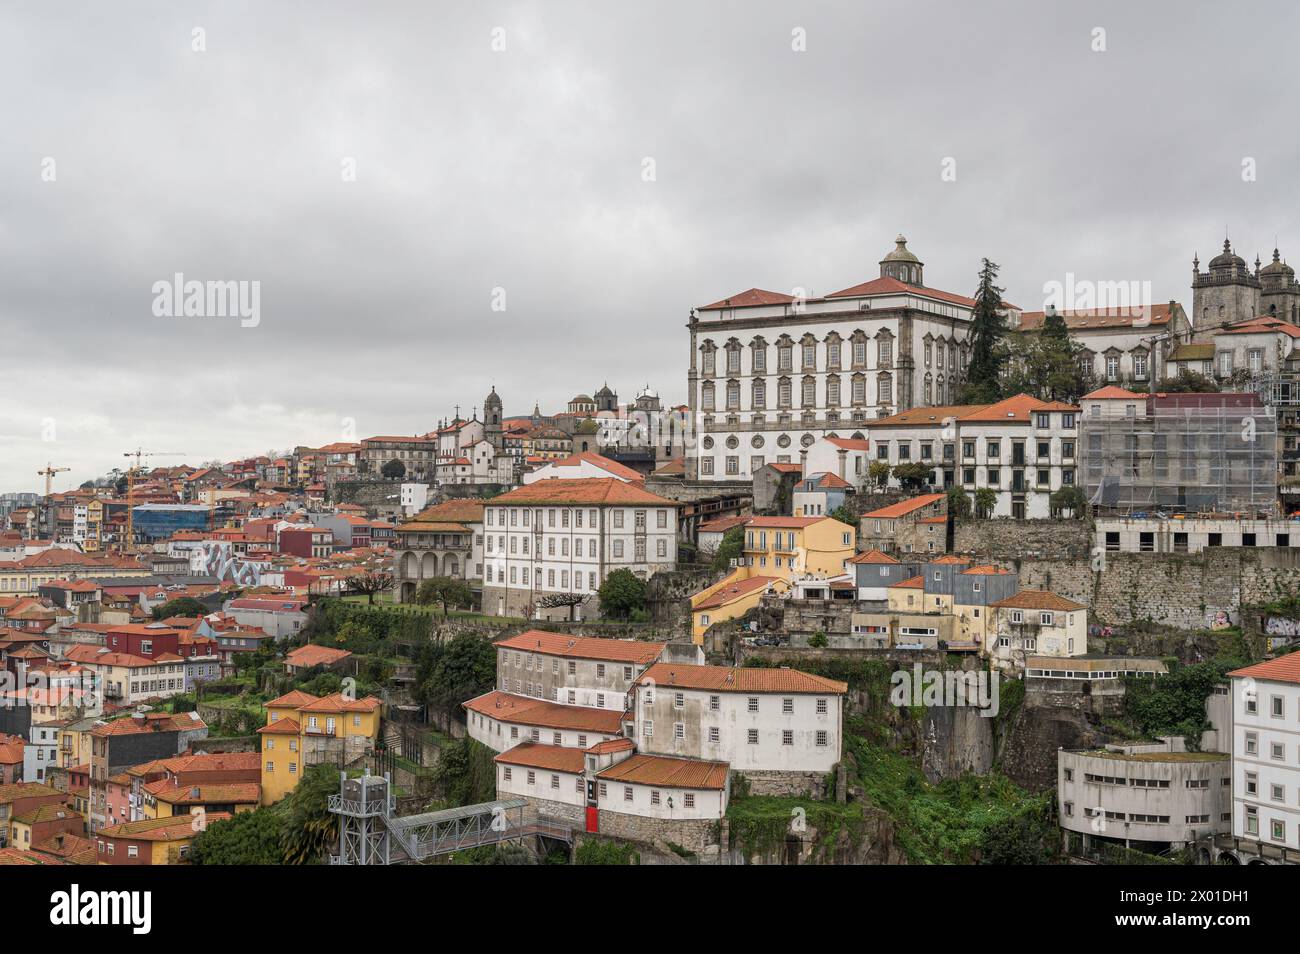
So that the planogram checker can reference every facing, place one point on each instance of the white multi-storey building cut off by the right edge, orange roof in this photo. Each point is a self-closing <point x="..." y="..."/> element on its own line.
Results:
<point x="1267" y="753"/>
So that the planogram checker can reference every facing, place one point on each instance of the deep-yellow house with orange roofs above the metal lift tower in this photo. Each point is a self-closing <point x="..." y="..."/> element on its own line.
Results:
<point x="304" y="730"/>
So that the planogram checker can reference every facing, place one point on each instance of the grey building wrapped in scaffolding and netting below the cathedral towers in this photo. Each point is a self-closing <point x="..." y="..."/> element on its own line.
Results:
<point x="1198" y="454"/>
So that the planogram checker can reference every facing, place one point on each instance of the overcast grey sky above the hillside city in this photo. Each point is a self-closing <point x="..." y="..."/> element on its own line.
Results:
<point x="525" y="170"/>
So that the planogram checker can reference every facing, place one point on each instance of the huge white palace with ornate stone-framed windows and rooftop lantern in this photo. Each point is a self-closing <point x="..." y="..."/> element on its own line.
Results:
<point x="770" y="374"/>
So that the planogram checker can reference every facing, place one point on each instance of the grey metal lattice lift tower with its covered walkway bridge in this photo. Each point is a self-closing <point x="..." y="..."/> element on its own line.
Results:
<point x="371" y="834"/>
